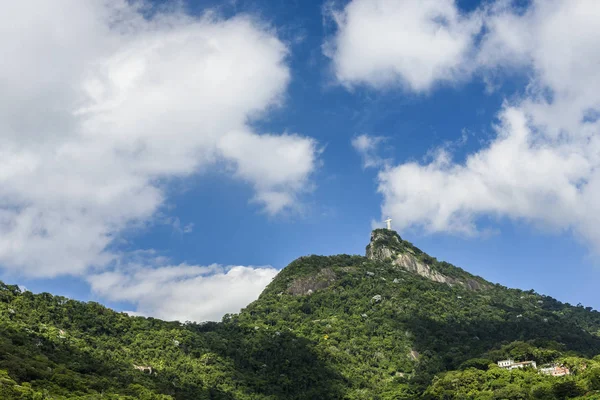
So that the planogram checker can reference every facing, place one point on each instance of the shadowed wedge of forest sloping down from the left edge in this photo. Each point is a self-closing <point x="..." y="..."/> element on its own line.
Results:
<point x="63" y="369"/>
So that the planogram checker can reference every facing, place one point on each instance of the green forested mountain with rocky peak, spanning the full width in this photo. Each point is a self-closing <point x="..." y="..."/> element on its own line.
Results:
<point x="394" y="324"/>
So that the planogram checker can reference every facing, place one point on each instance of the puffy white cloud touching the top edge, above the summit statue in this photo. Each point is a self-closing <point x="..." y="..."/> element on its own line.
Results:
<point x="413" y="43"/>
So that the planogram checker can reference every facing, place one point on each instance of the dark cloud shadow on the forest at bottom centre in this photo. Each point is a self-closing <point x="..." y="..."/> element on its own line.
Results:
<point x="280" y="365"/>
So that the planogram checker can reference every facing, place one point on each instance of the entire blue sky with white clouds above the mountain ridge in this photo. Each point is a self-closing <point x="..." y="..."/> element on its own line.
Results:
<point x="438" y="92"/>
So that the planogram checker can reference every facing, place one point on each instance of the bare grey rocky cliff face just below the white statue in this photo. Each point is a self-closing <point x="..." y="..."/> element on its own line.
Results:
<point x="386" y="245"/>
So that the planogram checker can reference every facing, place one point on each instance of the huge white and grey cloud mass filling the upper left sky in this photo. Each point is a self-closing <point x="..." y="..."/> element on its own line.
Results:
<point x="101" y="105"/>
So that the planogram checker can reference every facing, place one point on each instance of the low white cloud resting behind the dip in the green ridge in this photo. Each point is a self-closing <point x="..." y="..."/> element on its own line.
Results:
<point x="184" y="292"/>
